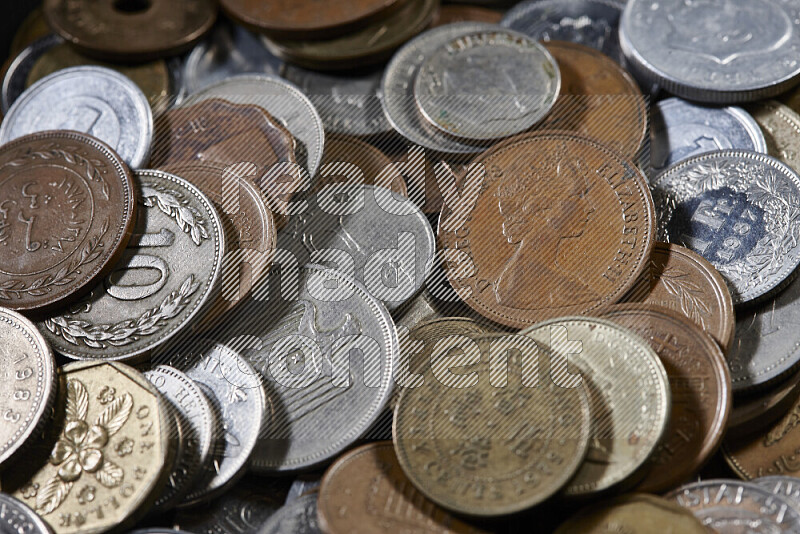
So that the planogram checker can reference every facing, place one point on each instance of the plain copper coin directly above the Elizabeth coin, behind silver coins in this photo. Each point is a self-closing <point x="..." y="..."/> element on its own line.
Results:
<point x="598" y="98"/>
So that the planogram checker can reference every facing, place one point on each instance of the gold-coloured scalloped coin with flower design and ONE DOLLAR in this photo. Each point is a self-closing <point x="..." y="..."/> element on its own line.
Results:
<point x="105" y="456"/>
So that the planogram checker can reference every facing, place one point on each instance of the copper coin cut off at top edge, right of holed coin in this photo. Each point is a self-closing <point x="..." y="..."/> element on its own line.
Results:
<point x="308" y="19"/>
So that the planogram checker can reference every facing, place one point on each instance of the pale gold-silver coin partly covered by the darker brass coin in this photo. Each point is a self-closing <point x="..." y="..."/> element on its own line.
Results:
<point x="629" y="393"/>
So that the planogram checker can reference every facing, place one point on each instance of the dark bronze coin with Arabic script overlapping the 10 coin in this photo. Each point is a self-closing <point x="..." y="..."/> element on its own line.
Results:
<point x="66" y="216"/>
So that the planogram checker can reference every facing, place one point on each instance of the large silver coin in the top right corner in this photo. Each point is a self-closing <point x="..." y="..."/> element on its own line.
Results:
<point x="724" y="52"/>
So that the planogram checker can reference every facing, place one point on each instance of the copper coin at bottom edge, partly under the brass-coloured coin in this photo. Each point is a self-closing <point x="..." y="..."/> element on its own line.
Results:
<point x="366" y="491"/>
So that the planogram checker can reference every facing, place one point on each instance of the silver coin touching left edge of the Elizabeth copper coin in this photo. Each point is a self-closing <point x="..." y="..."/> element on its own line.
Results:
<point x="381" y="239"/>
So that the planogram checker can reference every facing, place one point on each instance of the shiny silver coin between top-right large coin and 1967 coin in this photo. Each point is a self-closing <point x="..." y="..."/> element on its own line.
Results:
<point x="680" y="130"/>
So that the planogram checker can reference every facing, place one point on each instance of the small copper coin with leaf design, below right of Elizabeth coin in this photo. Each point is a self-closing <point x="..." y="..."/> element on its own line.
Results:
<point x="685" y="282"/>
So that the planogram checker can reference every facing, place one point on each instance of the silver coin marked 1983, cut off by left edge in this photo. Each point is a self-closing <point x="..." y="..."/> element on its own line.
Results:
<point x="27" y="375"/>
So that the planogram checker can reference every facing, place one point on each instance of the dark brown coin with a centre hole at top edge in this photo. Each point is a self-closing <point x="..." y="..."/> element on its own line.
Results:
<point x="131" y="30"/>
